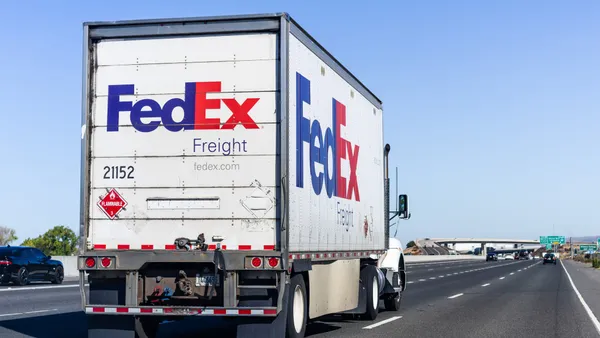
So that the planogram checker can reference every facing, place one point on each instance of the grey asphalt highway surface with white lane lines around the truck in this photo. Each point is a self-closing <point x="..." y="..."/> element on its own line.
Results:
<point x="445" y="299"/>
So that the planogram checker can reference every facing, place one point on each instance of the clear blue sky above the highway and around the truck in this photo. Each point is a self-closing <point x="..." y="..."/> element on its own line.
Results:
<point x="492" y="107"/>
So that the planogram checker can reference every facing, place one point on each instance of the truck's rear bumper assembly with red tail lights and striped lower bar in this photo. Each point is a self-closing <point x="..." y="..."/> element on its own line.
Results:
<point x="123" y="288"/>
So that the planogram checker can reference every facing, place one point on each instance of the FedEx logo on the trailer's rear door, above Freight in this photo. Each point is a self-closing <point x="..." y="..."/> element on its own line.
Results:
<point x="194" y="105"/>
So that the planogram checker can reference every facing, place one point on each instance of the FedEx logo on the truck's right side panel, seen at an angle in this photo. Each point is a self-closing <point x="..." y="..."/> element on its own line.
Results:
<point x="320" y="143"/>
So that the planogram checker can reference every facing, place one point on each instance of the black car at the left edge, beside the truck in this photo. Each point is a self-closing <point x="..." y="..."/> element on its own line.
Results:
<point x="21" y="265"/>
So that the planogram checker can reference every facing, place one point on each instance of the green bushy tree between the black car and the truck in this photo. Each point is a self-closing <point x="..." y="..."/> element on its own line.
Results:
<point x="58" y="241"/>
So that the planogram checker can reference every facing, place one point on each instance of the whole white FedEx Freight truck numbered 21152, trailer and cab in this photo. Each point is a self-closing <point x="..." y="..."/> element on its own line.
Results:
<point x="230" y="167"/>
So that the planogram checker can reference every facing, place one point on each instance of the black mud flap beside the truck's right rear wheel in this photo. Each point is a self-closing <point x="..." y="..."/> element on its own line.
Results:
<point x="266" y="328"/>
